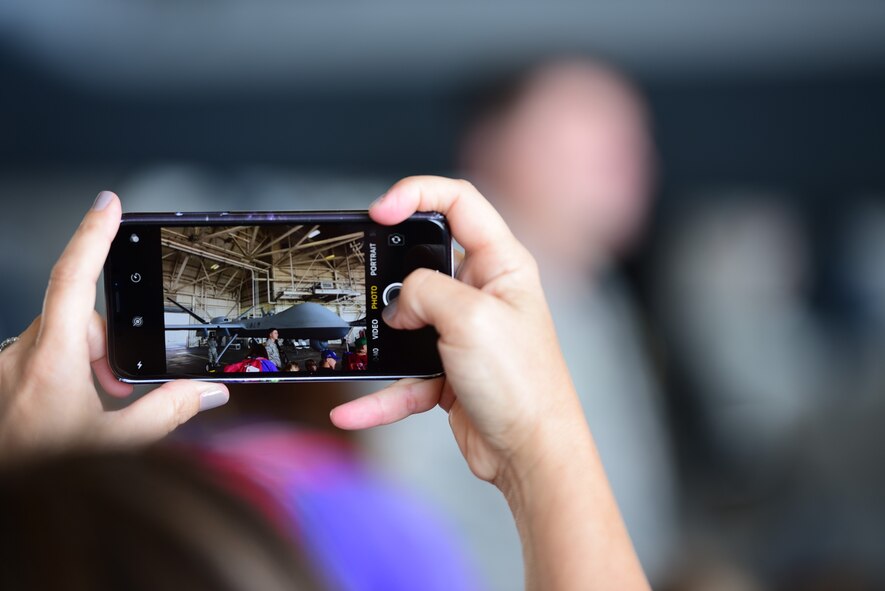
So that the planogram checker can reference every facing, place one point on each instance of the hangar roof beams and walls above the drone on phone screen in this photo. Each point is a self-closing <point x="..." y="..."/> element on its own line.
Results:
<point x="251" y="271"/>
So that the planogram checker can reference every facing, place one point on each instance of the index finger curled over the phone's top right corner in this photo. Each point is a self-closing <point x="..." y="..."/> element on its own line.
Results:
<point x="475" y="224"/>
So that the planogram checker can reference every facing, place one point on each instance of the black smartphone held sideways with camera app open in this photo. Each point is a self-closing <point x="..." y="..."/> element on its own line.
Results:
<point x="267" y="296"/>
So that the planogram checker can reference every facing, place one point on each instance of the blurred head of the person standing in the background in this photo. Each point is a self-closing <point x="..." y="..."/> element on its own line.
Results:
<point x="565" y="153"/>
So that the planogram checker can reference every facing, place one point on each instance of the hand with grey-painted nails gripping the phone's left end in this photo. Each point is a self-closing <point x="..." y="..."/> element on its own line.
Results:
<point x="48" y="398"/>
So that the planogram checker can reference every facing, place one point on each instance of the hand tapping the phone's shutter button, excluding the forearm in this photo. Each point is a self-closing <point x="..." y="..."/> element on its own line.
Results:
<point x="506" y="388"/>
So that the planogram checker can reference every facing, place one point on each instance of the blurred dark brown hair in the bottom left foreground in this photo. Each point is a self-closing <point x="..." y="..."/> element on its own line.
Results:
<point x="150" y="520"/>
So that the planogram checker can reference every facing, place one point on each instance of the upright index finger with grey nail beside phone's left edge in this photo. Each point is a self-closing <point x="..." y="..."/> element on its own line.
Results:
<point x="70" y="295"/>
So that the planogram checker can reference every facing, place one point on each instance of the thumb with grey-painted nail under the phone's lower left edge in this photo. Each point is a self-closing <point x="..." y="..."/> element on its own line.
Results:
<point x="160" y="411"/>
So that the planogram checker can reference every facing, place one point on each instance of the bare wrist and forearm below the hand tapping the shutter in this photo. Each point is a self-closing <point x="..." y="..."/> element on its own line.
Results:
<point x="566" y="515"/>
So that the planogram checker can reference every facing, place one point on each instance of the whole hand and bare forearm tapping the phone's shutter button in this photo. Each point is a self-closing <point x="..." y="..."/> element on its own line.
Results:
<point x="516" y="417"/>
